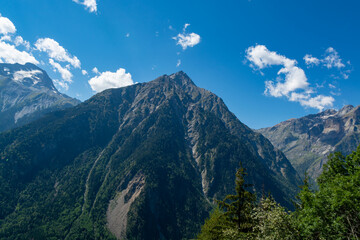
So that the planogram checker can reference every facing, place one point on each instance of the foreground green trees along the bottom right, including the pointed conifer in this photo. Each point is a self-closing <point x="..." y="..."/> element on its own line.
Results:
<point x="331" y="212"/>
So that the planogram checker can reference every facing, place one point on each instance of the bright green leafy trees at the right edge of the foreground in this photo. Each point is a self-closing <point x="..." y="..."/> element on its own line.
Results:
<point x="332" y="212"/>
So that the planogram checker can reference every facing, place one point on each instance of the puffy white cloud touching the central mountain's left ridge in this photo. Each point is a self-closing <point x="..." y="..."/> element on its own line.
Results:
<point x="108" y="80"/>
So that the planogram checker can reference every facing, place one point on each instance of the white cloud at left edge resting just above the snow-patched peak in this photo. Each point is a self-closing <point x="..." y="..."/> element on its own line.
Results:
<point x="9" y="54"/>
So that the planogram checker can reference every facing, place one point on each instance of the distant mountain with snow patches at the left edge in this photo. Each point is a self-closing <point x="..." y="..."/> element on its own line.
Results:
<point x="27" y="93"/>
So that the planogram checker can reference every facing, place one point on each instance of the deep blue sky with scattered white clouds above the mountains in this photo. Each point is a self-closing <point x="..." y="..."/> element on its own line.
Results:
<point x="236" y="49"/>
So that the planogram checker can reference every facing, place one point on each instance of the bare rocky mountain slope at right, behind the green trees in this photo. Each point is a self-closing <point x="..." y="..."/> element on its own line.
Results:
<point x="308" y="141"/>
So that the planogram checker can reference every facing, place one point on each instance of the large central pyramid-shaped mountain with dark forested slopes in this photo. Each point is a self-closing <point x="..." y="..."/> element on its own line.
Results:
<point x="140" y="162"/>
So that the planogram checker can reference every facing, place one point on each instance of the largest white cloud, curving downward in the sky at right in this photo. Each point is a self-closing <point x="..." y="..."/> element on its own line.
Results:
<point x="291" y="83"/>
